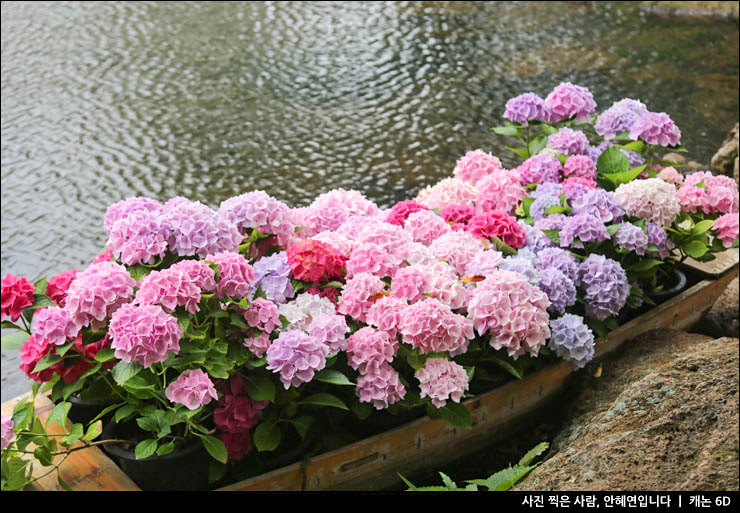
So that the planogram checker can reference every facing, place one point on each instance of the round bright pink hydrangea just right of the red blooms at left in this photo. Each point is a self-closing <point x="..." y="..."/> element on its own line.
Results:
<point x="144" y="334"/>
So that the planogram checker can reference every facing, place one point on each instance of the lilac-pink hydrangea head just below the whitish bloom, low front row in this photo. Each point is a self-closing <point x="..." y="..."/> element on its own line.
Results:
<point x="296" y="356"/>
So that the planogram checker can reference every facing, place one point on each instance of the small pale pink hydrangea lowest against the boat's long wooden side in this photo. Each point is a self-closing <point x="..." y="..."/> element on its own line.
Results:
<point x="442" y="380"/>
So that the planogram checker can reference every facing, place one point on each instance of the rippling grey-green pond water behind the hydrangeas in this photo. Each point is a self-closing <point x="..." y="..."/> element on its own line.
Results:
<point x="105" y="100"/>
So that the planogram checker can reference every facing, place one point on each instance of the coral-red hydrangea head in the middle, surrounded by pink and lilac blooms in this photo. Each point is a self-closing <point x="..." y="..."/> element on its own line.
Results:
<point x="315" y="261"/>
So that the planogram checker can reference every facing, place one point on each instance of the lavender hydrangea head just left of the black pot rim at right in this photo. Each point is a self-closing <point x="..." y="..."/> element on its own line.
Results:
<point x="605" y="286"/>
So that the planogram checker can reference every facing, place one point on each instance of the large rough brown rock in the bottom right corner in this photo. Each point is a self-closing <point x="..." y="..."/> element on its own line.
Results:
<point x="662" y="416"/>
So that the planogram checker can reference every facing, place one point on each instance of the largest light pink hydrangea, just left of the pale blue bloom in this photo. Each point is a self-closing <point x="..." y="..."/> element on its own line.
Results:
<point x="512" y="311"/>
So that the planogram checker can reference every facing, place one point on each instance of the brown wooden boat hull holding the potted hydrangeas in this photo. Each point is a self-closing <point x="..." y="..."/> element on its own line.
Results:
<point x="373" y="463"/>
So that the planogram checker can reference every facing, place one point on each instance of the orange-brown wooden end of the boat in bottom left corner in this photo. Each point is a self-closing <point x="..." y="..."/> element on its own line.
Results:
<point x="88" y="469"/>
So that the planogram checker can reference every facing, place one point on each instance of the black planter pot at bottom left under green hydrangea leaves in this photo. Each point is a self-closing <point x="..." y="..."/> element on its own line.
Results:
<point x="182" y="470"/>
